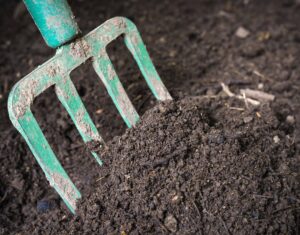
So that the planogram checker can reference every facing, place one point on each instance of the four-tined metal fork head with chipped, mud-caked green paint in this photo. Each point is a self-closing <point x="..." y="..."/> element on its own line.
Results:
<point x="55" y="72"/>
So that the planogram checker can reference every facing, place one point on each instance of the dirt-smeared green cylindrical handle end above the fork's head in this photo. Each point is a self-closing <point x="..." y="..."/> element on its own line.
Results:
<point x="55" y="20"/>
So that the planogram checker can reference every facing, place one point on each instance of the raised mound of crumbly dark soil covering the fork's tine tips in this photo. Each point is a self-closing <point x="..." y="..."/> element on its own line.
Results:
<point x="196" y="166"/>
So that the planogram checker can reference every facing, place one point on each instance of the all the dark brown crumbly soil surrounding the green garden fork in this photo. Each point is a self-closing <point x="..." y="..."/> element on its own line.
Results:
<point x="233" y="184"/>
